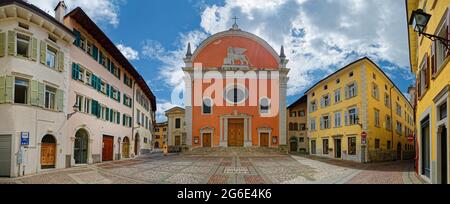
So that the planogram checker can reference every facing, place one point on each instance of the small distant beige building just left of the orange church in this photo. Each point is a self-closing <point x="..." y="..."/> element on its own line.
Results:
<point x="176" y="127"/>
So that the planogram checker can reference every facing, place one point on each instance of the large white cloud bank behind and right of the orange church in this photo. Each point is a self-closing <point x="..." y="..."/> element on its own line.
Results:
<point x="317" y="35"/>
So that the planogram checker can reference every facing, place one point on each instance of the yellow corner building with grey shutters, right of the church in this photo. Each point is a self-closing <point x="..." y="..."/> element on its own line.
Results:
<point x="357" y="100"/>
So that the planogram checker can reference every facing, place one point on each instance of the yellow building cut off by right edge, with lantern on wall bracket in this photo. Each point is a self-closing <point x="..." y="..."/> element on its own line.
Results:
<point x="429" y="61"/>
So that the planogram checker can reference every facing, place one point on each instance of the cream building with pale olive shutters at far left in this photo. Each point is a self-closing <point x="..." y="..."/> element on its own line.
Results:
<point x="34" y="64"/>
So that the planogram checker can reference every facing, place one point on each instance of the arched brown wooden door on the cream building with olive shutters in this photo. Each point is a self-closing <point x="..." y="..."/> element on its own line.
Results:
<point x="48" y="152"/>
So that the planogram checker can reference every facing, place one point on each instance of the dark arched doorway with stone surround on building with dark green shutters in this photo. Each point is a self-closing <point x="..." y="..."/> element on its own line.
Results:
<point x="80" y="149"/>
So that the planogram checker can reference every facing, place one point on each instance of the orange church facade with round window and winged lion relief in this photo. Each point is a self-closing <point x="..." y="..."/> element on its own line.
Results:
<point x="235" y="92"/>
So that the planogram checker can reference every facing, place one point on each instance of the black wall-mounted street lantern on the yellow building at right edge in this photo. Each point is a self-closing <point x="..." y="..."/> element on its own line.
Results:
<point x="419" y="21"/>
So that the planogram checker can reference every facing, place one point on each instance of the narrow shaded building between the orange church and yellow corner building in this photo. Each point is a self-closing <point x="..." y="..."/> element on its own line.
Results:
<point x="297" y="126"/>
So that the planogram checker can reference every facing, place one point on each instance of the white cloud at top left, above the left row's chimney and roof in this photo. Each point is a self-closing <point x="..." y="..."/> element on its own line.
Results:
<point x="99" y="10"/>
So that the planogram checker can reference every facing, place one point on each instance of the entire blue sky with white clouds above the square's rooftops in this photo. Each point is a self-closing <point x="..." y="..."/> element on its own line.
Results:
<point x="319" y="36"/>
